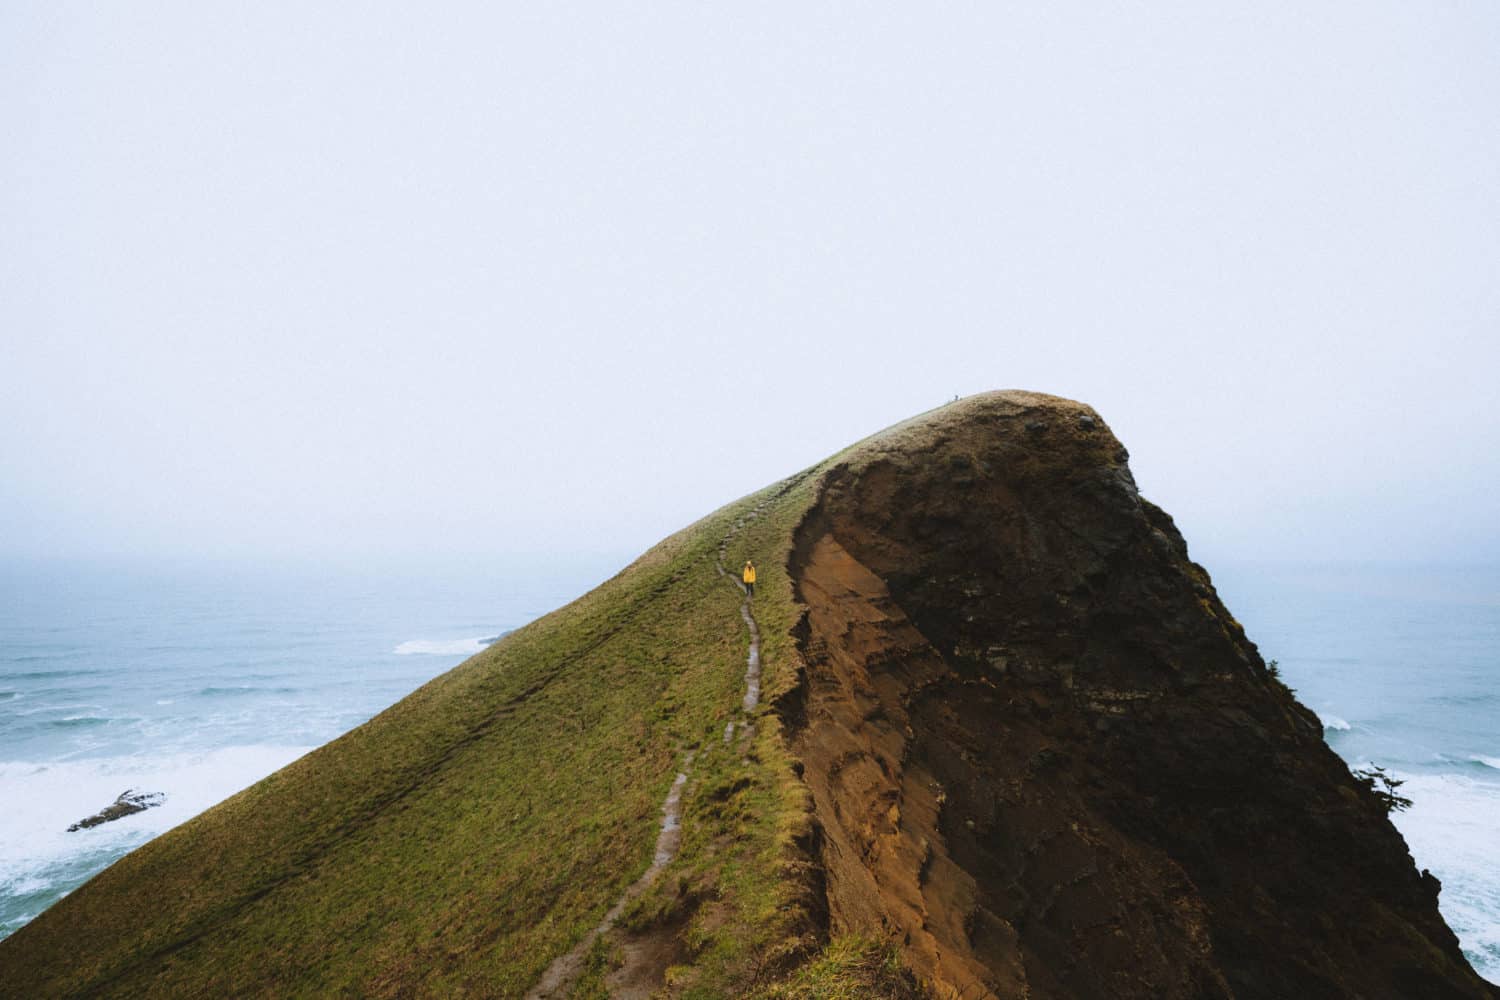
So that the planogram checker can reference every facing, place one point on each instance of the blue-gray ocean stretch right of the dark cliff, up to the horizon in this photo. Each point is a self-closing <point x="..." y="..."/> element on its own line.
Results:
<point x="1403" y="666"/>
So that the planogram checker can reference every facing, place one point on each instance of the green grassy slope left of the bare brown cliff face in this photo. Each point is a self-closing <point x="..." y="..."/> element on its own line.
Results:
<point x="482" y="825"/>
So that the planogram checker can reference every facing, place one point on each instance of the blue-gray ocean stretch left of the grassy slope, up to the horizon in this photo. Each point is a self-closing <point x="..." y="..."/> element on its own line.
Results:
<point x="199" y="681"/>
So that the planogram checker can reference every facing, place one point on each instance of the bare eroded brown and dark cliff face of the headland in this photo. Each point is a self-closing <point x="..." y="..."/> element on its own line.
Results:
<point x="1045" y="758"/>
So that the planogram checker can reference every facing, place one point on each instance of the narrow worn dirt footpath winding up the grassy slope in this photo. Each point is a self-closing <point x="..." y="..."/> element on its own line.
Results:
<point x="560" y="978"/>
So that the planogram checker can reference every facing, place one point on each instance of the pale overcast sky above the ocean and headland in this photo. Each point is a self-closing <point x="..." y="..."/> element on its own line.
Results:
<point x="380" y="281"/>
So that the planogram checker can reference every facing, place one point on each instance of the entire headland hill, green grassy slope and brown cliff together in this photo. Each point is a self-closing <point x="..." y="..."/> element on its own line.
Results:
<point x="1009" y="743"/>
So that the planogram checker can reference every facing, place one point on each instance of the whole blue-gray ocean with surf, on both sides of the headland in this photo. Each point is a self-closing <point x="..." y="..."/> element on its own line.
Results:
<point x="197" y="683"/>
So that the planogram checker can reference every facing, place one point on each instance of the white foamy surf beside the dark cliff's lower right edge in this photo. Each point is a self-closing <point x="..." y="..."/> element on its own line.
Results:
<point x="1451" y="831"/>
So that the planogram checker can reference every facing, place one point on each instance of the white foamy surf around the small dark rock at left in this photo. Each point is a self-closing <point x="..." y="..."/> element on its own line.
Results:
<point x="44" y="800"/>
